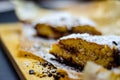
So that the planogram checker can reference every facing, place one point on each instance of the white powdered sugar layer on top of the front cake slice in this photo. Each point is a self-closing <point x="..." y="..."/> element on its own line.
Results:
<point x="110" y="40"/>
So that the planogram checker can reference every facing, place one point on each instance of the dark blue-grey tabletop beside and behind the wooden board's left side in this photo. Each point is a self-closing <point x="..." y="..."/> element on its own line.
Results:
<point x="7" y="71"/>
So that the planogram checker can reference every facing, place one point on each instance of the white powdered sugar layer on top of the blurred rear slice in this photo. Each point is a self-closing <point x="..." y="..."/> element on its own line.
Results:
<point x="64" y="19"/>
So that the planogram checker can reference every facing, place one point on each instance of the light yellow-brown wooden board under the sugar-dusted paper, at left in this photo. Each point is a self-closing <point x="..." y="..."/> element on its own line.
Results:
<point x="10" y="39"/>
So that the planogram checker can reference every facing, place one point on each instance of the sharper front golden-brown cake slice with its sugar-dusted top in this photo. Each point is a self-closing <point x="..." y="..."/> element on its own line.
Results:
<point x="80" y="48"/>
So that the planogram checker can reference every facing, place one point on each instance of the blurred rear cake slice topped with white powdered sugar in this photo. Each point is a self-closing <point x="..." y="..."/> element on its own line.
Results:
<point x="58" y="25"/>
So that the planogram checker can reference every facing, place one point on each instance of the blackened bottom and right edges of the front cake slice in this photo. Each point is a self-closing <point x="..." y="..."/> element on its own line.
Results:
<point x="80" y="68"/>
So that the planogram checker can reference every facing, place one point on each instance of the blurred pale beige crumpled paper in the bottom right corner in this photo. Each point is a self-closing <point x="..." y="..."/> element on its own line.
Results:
<point x="93" y="71"/>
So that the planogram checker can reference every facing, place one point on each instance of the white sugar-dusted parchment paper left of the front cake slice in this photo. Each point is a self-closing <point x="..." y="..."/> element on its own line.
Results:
<point x="40" y="47"/>
